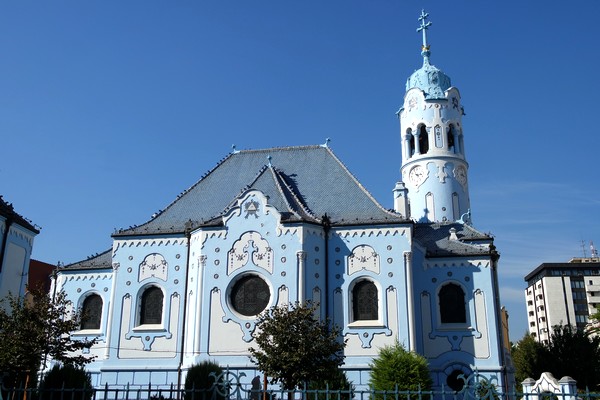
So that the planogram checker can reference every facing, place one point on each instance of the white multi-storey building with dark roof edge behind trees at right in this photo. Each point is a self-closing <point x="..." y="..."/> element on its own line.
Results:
<point x="562" y="294"/>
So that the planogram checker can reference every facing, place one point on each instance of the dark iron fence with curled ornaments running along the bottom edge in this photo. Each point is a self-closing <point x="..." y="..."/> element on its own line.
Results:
<point x="227" y="386"/>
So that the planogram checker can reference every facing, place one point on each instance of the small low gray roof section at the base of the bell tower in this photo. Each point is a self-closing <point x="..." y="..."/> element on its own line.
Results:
<point x="438" y="240"/>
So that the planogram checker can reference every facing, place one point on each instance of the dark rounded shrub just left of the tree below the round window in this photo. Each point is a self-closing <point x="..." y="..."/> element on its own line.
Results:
<point x="200" y="385"/>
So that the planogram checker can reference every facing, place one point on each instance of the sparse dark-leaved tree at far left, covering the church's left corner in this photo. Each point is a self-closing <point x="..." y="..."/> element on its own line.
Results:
<point x="33" y="330"/>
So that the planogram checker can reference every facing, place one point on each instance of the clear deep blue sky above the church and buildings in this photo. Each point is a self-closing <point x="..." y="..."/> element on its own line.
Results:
<point x="109" y="109"/>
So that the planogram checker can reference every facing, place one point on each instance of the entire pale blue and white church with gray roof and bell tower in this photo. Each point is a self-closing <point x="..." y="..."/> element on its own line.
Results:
<point x="274" y="226"/>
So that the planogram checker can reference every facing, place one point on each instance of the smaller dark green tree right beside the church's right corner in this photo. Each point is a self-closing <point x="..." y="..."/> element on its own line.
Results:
<point x="530" y="358"/>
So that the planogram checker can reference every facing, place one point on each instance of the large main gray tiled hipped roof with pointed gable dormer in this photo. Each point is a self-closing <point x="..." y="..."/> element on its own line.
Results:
<point x="307" y="182"/>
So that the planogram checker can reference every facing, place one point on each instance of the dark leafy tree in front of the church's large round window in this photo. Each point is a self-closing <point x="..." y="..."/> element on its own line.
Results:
<point x="294" y="347"/>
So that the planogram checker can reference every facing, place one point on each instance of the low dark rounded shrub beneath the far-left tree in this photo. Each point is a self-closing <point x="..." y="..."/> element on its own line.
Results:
<point x="67" y="381"/>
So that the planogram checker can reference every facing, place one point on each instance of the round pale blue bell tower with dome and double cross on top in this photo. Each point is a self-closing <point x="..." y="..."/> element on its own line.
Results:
<point x="434" y="185"/>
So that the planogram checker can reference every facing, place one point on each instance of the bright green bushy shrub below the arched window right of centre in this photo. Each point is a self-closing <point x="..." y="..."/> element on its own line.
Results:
<point x="395" y="367"/>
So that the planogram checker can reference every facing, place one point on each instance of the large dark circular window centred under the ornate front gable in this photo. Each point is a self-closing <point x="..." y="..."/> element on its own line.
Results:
<point x="250" y="295"/>
